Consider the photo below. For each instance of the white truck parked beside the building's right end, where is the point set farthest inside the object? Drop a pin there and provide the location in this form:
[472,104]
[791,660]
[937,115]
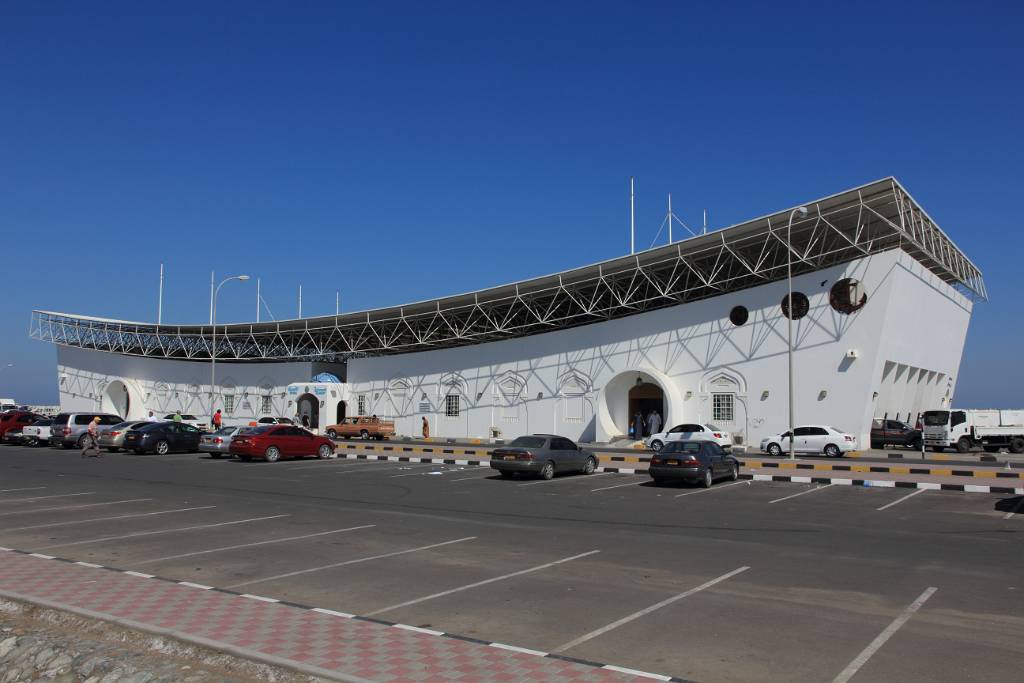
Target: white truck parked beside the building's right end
[964,431]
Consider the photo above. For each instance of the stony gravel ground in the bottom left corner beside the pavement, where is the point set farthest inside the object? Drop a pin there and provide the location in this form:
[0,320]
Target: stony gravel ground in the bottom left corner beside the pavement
[41,645]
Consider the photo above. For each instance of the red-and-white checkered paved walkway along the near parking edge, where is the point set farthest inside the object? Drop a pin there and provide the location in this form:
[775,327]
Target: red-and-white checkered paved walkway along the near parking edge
[318,643]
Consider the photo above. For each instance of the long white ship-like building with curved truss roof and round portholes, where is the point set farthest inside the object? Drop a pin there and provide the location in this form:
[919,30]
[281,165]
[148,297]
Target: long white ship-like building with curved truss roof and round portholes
[695,329]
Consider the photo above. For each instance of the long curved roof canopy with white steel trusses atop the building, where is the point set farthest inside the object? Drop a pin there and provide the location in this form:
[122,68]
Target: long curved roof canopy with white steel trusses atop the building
[858,223]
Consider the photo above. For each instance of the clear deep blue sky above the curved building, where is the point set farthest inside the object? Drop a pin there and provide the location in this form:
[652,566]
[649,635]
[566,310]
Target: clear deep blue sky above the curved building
[403,151]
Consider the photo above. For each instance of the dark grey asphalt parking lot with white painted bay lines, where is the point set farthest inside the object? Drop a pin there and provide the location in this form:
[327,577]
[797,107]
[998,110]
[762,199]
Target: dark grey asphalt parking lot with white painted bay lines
[744,582]
